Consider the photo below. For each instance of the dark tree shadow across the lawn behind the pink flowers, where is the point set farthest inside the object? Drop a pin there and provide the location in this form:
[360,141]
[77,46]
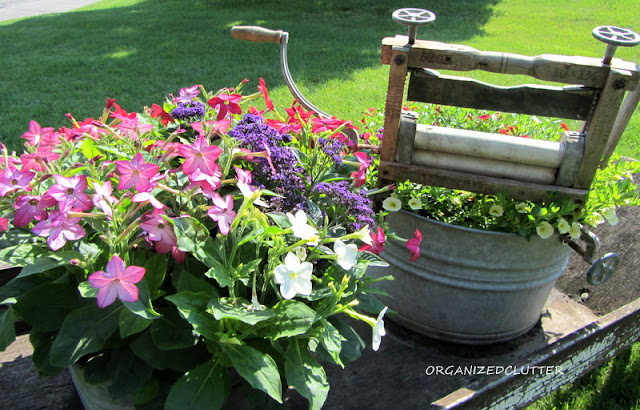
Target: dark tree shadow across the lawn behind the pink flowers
[70,62]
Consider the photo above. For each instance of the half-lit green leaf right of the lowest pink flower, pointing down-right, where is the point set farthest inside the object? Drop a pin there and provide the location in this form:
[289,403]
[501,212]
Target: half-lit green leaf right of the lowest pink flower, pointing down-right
[192,307]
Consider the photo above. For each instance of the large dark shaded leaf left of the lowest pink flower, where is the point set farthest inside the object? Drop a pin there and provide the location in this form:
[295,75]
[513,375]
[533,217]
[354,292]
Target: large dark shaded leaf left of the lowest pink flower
[45,307]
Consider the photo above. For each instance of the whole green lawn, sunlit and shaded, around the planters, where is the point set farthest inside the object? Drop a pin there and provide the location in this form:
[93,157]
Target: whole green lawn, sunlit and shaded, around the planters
[138,51]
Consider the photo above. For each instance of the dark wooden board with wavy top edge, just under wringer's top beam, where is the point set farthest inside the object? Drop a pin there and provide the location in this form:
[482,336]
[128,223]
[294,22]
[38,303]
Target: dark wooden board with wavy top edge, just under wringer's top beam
[568,102]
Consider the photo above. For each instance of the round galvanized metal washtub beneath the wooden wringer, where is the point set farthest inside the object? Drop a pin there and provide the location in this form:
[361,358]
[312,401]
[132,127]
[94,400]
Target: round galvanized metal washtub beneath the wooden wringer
[468,286]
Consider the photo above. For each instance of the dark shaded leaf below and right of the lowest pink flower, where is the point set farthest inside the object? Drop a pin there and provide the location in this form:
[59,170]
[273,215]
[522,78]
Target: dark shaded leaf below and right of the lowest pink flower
[172,332]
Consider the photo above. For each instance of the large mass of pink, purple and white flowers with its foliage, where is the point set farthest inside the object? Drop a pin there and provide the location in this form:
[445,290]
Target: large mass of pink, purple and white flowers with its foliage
[165,251]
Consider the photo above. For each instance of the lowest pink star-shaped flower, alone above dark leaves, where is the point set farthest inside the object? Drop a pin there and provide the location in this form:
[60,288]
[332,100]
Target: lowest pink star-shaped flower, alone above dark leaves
[118,281]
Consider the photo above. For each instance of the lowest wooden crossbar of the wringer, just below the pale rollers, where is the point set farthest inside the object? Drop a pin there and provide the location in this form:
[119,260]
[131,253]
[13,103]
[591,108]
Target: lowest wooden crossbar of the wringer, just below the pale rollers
[475,183]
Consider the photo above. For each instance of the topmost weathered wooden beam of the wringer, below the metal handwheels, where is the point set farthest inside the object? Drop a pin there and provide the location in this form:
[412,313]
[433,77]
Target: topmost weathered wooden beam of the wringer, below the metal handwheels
[587,71]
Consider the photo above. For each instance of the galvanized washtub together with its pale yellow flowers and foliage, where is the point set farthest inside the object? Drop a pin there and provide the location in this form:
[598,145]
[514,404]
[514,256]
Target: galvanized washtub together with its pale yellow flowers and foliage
[488,261]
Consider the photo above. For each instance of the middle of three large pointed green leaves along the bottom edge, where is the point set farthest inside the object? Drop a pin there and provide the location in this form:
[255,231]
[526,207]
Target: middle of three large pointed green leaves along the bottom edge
[259,369]
